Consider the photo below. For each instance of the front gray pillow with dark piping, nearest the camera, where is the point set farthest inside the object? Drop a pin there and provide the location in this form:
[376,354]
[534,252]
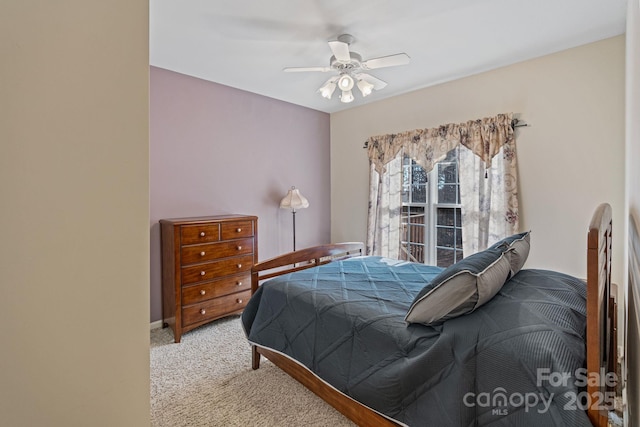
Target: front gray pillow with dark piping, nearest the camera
[461,288]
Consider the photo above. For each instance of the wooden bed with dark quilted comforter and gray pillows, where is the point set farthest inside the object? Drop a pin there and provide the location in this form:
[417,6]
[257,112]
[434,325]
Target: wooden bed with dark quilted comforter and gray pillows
[361,333]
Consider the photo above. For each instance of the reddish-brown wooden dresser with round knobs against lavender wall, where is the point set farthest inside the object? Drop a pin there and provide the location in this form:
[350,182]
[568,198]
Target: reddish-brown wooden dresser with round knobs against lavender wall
[206,268]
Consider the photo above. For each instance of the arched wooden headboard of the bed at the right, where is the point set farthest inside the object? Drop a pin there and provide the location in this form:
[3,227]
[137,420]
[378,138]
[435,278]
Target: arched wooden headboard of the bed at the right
[601,314]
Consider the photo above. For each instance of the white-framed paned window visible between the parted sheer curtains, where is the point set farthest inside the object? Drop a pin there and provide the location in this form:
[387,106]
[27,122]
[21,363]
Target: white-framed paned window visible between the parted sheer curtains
[431,216]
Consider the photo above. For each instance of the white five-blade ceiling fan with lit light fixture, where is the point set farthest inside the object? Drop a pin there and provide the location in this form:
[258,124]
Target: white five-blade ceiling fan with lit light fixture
[351,70]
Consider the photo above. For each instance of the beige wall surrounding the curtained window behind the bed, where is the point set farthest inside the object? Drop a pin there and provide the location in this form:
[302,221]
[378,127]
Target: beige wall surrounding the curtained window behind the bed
[571,158]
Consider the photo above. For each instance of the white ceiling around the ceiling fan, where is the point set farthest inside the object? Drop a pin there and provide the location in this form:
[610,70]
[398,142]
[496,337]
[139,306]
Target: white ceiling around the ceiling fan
[246,43]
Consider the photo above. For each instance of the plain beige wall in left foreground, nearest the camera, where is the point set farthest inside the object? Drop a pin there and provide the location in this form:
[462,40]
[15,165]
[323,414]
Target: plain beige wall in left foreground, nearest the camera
[74,217]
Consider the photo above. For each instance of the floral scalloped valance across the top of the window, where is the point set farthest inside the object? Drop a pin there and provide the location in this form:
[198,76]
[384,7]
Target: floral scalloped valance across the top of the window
[484,137]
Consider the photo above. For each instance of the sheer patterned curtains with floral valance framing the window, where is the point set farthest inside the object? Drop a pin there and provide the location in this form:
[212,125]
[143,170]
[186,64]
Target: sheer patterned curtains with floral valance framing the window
[488,180]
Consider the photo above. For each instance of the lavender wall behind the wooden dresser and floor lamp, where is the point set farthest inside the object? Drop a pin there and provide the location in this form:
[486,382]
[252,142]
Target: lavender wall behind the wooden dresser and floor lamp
[216,150]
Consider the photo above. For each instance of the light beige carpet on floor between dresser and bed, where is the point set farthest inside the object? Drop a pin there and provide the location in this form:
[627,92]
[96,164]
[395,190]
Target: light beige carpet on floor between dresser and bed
[207,380]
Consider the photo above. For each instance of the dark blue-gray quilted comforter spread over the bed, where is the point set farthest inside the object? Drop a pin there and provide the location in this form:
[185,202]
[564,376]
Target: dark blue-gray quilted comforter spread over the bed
[515,361]
